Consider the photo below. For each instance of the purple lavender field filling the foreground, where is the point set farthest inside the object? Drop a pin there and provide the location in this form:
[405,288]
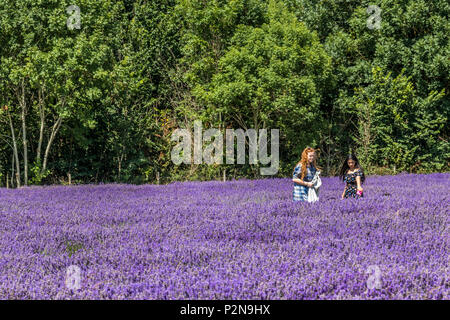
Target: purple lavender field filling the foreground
[241,239]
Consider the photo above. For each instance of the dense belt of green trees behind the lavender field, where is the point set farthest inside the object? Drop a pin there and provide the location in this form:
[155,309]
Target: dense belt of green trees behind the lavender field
[99,103]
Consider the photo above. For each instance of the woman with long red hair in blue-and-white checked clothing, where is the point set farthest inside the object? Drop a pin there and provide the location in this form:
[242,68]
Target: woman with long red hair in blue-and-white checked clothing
[303,175]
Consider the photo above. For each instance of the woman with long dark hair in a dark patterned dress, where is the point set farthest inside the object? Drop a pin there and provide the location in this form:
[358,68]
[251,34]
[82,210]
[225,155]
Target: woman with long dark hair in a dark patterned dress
[353,175]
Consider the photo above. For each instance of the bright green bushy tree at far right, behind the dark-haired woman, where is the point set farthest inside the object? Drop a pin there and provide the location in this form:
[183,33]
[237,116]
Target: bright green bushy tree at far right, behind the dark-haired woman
[397,128]
